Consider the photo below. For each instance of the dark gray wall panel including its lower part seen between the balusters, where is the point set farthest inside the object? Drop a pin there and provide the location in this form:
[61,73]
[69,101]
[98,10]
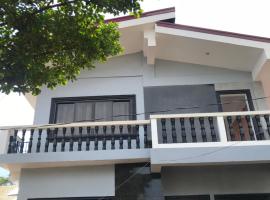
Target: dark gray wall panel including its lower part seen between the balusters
[181,99]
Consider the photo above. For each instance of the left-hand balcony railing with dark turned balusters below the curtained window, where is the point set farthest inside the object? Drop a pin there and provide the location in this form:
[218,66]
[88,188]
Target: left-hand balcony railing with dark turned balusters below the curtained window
[83,136]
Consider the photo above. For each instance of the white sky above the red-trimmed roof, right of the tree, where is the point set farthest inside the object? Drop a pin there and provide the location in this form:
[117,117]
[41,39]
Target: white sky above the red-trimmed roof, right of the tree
[242,16]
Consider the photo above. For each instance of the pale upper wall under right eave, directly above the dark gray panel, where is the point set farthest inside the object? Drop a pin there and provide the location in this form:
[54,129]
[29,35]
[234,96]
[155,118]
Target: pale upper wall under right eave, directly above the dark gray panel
[175,73]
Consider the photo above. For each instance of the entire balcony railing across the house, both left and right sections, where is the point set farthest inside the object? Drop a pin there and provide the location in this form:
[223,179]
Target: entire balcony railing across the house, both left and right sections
[164,131]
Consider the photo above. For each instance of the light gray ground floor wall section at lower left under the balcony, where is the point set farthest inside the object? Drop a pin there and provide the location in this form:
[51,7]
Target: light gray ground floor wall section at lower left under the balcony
[87,181]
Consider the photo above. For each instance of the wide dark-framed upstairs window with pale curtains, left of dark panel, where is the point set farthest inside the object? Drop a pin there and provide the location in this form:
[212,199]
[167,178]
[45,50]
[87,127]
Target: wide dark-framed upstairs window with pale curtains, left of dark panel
[104,108]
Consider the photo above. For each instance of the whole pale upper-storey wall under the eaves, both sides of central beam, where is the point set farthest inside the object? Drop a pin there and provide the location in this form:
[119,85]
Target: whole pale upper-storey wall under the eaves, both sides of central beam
[127,75]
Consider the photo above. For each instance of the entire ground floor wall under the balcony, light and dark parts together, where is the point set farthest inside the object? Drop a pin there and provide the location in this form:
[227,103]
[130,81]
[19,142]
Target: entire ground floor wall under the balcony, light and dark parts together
[136,182]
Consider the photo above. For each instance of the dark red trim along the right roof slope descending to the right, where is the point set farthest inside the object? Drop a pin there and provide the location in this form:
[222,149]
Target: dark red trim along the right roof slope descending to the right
[214,32]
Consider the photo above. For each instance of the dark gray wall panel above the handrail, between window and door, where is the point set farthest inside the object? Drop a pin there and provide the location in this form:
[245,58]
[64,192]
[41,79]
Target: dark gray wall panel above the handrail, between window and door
[163,98]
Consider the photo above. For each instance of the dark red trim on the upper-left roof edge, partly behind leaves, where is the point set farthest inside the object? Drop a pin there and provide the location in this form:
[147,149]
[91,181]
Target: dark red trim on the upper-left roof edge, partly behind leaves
[146,14]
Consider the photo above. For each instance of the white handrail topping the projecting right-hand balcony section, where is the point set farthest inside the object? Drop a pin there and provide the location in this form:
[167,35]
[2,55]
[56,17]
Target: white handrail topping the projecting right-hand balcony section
[214,114]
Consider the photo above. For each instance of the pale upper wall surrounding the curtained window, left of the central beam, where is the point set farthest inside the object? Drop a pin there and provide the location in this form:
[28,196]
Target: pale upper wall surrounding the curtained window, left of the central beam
[119,76]
